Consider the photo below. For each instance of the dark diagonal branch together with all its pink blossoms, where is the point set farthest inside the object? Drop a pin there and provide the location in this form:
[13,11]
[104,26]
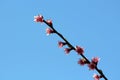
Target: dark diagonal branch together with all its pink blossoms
[80,51]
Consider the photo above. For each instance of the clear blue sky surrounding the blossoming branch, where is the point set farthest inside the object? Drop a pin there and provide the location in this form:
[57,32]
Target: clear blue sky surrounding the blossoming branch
[26,53]
